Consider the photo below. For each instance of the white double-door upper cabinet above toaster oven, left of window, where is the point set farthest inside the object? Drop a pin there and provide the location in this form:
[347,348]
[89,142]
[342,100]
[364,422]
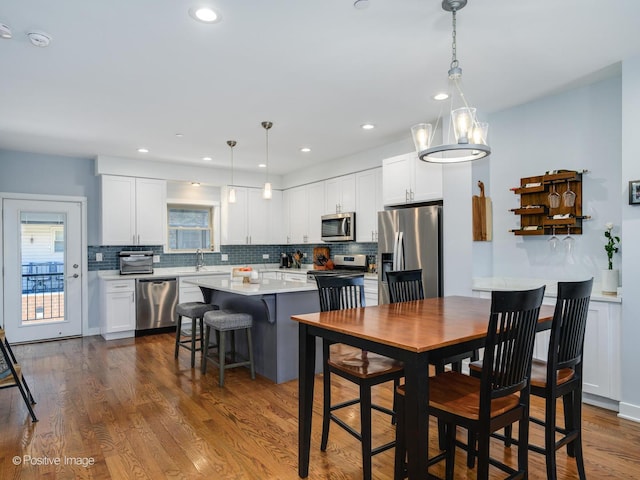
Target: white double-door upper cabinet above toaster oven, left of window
[133,211]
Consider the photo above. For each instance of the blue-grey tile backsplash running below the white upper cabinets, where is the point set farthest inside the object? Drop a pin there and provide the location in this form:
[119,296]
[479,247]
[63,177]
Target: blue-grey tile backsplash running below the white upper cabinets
[238,254]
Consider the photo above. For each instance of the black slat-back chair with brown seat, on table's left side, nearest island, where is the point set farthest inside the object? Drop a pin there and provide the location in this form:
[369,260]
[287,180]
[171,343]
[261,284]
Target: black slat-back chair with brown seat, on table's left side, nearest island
[360,367]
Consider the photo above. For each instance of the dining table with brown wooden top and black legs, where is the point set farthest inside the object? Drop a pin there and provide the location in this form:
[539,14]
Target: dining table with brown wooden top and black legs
[417,333]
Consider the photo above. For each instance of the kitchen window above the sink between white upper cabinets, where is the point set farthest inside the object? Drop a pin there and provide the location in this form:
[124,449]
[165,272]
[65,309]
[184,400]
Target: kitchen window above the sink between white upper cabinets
[190,227]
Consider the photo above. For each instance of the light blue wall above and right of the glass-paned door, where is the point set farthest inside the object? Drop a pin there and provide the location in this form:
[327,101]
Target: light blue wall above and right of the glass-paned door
[36,173]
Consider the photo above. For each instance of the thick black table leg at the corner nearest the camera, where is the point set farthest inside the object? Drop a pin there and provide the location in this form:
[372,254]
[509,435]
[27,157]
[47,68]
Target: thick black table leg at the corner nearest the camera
[416,418]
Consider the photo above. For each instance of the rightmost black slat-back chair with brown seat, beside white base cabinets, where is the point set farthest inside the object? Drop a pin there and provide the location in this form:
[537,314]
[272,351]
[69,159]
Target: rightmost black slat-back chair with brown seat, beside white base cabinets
[561,377]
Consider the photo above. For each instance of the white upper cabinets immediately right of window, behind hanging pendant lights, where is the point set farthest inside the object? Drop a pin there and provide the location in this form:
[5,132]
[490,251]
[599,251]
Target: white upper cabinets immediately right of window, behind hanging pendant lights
[251,220]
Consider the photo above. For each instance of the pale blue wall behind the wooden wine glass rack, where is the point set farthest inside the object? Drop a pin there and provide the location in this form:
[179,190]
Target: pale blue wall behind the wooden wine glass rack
[576,130]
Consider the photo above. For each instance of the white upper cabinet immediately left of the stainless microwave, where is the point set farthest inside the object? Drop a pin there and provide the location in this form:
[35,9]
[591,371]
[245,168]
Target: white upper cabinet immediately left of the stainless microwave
[303,207]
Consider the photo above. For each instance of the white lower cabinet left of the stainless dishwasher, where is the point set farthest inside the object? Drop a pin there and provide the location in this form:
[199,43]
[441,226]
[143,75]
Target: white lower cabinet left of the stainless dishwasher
[118,309]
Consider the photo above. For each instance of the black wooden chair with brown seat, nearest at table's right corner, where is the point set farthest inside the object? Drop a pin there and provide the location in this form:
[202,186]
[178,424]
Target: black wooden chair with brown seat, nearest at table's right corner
[497,399]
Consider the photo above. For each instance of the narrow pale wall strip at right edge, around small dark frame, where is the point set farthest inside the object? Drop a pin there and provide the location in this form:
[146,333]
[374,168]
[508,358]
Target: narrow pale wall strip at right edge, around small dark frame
[630,246]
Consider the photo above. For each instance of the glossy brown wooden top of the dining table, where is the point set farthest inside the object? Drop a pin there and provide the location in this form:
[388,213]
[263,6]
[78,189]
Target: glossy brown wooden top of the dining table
[418,326]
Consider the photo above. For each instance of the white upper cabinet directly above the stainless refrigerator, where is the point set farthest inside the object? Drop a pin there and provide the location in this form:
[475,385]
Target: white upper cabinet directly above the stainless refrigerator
[407,179]
